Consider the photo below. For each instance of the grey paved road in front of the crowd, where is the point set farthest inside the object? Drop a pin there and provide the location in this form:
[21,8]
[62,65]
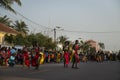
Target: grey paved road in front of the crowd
[87,71]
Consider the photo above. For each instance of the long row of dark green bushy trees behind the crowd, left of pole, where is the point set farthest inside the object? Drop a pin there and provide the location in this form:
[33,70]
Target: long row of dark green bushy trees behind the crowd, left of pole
[31,40]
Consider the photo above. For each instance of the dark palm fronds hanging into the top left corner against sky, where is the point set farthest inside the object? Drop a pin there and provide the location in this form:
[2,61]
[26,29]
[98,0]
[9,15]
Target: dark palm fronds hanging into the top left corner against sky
[7,4]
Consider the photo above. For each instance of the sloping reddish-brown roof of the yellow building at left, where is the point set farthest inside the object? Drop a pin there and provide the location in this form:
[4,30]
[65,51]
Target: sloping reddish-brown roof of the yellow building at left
[6,29]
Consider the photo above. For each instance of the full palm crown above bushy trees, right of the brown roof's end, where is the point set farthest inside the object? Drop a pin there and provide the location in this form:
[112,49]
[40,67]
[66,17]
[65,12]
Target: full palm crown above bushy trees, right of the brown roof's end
[21,27]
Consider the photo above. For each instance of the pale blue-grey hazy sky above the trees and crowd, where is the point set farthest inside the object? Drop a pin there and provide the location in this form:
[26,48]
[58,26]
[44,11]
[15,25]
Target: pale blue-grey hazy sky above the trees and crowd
[86,19]
